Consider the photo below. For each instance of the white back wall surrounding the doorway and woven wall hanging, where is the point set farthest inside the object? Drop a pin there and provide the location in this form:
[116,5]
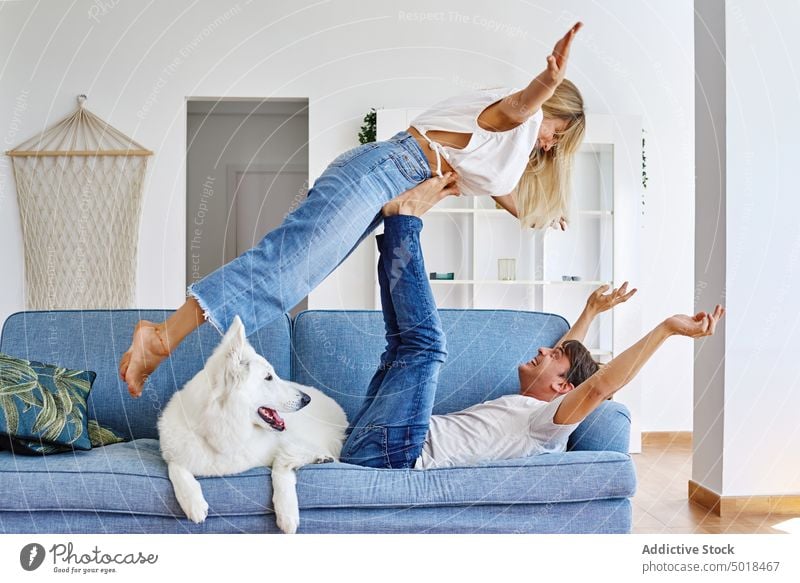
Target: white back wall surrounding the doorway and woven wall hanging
[139,63]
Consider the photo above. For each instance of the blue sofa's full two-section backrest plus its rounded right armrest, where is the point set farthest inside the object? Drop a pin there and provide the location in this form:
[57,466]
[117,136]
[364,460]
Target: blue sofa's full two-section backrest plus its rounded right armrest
[335,351]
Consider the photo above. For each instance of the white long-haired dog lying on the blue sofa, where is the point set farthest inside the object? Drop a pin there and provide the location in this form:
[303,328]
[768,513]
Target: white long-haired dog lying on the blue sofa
[236,414]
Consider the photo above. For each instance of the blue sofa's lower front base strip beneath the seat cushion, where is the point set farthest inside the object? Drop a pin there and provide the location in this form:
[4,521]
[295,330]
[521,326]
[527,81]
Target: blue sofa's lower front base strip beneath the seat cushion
[595,517]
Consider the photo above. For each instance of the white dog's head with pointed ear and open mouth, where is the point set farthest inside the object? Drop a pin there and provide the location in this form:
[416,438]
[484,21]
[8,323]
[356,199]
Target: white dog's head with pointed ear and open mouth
[246,383]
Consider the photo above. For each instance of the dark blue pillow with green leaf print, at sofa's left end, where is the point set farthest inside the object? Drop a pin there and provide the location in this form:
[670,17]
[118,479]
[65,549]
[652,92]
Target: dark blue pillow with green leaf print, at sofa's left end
[44,403]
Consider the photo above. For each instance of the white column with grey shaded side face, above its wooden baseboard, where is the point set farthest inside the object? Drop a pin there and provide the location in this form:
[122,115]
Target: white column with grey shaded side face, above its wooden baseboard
[747,121]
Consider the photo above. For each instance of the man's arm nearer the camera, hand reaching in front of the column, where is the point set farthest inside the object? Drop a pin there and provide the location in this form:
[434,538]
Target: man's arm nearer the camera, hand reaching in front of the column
[584,399]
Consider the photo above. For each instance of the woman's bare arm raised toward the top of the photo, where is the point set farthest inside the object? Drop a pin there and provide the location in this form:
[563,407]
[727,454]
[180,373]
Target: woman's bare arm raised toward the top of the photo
[518,107]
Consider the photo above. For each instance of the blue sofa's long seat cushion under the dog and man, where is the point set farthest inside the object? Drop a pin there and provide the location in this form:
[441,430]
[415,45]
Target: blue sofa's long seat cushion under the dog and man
[132,478]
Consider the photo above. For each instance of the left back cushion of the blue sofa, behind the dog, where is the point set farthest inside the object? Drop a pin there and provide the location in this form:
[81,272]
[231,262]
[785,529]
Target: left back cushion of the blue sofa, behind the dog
[96,339]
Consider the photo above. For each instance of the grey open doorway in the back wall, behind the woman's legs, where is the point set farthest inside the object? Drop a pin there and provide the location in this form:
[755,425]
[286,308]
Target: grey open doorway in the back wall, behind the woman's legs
[246,168]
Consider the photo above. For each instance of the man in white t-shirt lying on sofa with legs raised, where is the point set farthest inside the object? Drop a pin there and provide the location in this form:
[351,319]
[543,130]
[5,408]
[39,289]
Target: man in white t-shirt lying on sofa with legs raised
[559,388]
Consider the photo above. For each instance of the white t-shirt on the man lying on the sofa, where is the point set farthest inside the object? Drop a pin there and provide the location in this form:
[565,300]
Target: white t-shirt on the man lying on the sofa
[512,426]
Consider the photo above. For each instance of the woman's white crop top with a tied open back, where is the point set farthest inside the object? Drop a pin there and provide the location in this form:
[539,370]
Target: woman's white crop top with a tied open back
[491,163]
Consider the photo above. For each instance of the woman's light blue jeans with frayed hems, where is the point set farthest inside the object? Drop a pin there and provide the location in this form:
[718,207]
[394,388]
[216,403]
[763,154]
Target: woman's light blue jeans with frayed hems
[341,209]
